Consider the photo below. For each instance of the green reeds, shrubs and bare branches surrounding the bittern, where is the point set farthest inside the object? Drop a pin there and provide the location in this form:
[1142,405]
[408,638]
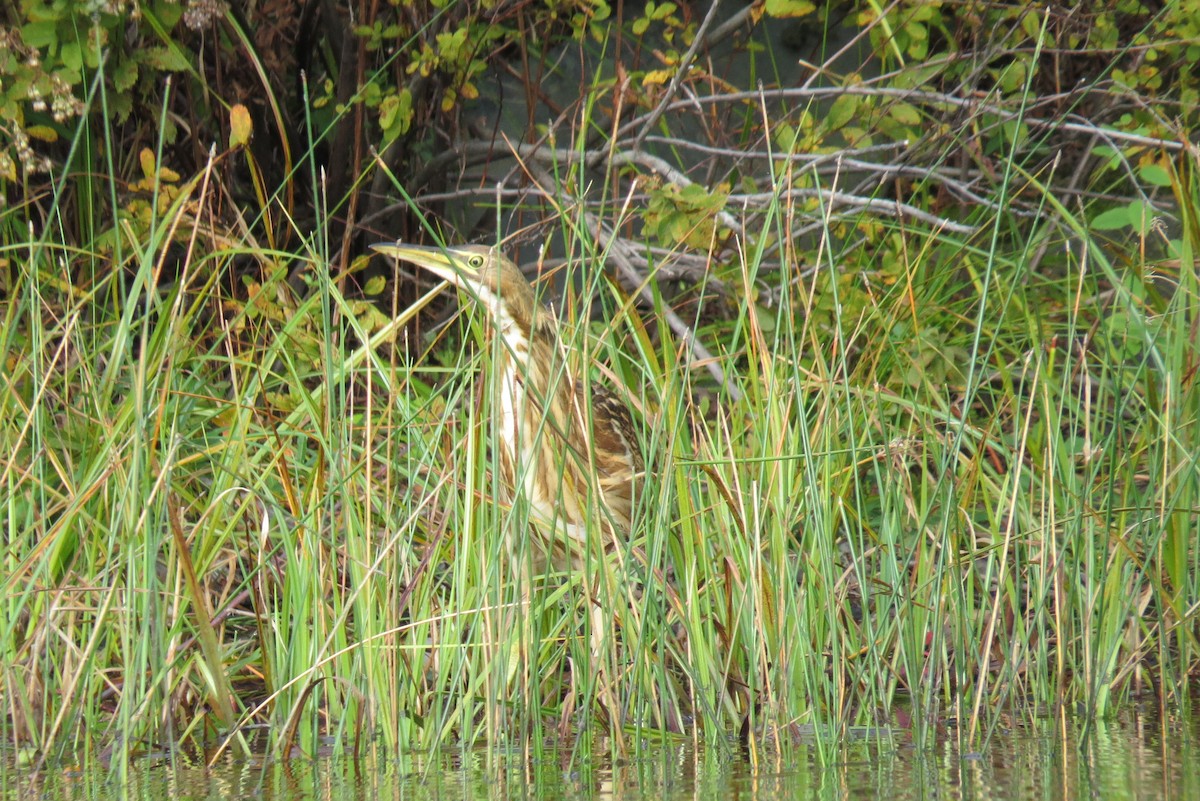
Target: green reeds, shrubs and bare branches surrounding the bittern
[910,335]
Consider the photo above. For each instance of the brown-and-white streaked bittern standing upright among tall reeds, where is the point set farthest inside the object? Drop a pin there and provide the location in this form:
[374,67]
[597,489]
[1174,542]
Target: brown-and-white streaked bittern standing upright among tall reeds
[568,448]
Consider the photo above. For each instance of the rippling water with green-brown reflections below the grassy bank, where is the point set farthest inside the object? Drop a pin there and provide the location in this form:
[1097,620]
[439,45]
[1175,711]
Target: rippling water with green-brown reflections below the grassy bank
[1142,755]
